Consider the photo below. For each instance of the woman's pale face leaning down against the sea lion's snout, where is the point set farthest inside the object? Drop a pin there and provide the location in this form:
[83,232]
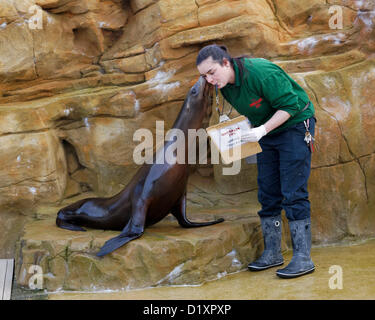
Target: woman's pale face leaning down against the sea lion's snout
[215,73]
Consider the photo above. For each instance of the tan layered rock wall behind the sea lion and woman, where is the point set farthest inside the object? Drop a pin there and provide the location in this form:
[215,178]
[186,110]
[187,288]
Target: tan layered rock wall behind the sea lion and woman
[78,77]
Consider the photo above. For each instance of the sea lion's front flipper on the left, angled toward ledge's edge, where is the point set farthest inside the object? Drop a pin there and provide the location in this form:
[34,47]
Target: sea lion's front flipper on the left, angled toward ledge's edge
[133,229]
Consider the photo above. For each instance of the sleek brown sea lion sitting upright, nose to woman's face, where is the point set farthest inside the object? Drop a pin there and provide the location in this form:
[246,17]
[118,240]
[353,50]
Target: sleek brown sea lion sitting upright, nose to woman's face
[154,191]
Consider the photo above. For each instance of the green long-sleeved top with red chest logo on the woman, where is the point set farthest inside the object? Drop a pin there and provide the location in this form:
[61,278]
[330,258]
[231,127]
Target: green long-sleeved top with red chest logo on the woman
[264,89]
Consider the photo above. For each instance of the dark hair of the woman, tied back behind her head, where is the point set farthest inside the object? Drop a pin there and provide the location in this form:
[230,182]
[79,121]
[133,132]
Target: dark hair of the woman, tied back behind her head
[218,53]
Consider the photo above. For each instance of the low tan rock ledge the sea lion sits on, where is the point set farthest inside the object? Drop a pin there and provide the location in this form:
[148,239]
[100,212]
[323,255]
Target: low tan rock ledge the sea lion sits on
[165,255]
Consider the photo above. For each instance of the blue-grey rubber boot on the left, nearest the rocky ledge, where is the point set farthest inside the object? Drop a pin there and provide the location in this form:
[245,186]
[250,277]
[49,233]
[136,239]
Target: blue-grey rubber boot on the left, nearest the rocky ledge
[271,256]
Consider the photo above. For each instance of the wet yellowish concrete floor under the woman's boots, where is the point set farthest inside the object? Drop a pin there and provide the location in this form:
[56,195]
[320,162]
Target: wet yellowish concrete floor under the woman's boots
[342,272]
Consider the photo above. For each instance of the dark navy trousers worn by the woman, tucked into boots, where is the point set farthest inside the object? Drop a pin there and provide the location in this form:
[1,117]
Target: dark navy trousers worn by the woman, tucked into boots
[283,172]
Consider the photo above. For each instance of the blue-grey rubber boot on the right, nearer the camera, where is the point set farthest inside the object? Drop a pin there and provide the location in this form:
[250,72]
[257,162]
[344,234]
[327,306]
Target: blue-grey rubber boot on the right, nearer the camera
[301,262]
